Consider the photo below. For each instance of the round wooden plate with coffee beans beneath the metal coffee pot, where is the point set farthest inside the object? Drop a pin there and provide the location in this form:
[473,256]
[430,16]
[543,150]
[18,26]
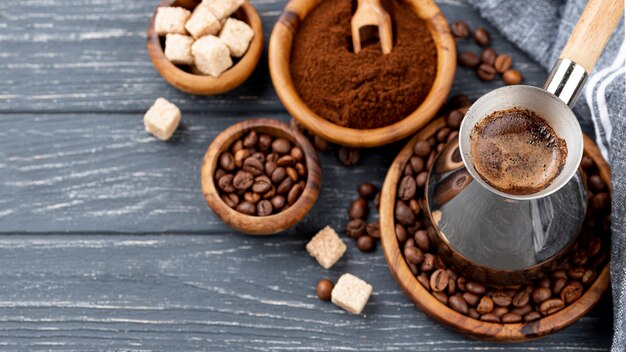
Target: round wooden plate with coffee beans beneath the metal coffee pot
[479,309]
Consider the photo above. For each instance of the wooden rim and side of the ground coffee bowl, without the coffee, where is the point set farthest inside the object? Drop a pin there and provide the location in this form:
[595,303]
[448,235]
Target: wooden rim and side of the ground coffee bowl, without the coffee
[281,42]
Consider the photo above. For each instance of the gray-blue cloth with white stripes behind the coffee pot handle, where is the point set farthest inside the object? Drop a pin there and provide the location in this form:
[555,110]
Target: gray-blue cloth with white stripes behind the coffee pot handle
[541,28]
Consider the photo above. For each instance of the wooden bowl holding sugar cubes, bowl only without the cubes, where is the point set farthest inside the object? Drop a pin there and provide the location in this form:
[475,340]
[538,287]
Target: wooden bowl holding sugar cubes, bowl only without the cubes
[202,84]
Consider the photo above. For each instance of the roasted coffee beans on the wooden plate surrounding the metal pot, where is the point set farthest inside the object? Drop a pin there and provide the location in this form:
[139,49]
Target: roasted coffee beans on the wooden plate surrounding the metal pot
[526,303]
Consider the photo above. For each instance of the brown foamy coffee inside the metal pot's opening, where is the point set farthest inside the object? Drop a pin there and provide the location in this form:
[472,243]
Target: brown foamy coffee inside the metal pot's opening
[516,151]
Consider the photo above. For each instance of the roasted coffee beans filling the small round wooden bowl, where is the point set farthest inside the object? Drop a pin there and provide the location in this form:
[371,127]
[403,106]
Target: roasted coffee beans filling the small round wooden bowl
[261,175]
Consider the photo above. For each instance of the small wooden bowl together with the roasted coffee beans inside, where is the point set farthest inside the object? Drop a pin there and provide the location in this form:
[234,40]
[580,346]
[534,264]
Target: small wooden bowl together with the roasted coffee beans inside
[260,176]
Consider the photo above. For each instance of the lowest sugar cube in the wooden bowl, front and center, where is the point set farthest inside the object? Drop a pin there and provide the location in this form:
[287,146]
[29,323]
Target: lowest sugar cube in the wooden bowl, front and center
[211,56]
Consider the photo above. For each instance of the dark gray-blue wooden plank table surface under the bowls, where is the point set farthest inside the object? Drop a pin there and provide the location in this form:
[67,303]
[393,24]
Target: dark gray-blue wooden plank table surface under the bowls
[106,242]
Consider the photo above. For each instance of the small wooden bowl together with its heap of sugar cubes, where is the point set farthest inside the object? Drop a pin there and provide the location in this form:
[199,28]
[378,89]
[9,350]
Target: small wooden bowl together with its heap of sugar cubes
[185,74]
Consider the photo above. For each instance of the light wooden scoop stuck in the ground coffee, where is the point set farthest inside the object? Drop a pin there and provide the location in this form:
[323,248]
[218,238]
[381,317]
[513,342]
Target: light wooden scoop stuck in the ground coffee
[370,13]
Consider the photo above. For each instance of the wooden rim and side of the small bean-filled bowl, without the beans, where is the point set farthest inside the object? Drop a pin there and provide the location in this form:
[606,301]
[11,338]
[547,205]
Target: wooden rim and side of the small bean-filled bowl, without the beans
[260,225]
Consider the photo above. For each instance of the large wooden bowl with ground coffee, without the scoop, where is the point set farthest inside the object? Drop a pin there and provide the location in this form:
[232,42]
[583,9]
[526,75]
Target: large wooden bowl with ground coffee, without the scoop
[366,99]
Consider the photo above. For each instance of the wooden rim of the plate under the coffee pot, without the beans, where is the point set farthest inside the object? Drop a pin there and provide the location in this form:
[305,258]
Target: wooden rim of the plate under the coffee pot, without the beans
[437,310]
